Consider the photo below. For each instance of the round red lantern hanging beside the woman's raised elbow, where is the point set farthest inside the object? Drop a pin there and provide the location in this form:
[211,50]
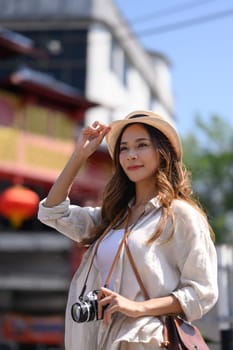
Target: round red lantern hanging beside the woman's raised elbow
[17,204]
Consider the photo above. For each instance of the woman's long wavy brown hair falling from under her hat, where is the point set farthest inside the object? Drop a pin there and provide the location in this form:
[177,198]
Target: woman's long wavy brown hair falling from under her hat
[172,181]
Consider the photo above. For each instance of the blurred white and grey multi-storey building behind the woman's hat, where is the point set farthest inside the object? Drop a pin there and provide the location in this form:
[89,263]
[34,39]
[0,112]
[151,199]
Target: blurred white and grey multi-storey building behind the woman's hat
[91,47]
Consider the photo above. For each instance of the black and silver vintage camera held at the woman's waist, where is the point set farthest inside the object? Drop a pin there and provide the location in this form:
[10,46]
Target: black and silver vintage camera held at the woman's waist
[86,309]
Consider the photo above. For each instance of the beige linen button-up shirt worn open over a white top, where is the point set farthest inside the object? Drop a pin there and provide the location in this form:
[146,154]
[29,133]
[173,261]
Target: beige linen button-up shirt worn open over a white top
[185,266]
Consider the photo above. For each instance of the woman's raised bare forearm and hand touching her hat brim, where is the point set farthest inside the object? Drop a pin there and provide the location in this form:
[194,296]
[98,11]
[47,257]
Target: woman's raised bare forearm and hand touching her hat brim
[89,140]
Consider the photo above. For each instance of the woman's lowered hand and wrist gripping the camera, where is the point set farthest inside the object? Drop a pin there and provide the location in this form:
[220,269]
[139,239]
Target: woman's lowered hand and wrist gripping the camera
[110,302]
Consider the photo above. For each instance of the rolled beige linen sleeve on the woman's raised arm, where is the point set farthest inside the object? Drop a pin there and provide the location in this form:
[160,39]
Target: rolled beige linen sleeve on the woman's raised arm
[73,221]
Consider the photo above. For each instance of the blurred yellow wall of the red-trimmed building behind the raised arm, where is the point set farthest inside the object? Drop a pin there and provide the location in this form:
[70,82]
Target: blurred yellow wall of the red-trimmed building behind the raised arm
[35,139]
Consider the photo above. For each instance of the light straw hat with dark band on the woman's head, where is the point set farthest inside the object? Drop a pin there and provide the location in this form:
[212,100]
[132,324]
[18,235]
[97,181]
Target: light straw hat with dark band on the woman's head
[144,117]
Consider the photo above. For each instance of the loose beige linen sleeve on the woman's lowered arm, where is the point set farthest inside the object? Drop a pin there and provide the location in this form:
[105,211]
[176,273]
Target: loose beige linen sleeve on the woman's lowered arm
[197,262]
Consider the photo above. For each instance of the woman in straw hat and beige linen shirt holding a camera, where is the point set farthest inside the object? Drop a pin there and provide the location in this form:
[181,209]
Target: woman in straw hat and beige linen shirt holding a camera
[169,237]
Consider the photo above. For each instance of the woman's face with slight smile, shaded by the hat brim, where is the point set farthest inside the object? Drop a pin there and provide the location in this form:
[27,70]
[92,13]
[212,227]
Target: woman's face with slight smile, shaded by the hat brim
[138,157]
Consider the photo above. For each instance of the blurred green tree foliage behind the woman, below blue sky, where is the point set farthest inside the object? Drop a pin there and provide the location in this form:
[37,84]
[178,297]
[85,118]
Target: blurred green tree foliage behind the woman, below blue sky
[208,154]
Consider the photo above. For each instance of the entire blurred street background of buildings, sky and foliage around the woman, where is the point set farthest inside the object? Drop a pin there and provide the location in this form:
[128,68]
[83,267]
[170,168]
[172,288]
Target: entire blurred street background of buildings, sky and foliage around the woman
[65,64]
